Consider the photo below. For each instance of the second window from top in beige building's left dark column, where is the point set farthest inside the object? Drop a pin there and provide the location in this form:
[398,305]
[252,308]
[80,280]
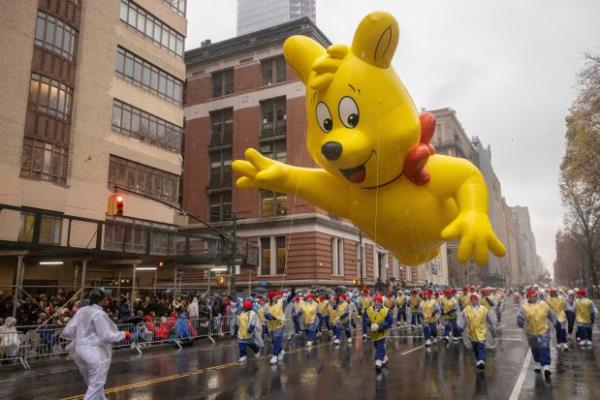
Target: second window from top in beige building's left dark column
[50,97]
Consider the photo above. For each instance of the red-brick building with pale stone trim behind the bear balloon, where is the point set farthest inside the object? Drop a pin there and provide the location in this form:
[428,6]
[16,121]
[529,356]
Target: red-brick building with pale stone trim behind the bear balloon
[241,94]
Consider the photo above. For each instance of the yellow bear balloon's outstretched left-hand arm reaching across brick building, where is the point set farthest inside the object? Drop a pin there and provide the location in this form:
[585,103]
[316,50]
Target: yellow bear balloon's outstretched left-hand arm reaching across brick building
[315,185]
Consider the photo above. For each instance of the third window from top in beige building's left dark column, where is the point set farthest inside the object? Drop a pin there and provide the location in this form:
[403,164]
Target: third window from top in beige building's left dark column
[44,161]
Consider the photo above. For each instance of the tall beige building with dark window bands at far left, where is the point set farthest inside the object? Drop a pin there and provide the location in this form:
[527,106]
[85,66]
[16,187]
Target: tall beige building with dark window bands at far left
[92,105]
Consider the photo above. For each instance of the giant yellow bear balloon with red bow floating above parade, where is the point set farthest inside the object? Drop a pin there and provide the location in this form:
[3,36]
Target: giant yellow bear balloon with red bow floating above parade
[377,168]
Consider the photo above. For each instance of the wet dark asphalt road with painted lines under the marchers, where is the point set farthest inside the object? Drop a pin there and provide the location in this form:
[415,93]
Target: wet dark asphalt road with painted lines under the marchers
[326,371]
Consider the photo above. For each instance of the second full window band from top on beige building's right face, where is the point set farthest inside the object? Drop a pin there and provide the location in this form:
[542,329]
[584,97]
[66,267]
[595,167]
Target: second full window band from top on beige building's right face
[140,72]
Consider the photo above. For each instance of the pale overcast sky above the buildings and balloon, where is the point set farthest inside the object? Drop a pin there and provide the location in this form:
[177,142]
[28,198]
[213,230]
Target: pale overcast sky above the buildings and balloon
[508,68]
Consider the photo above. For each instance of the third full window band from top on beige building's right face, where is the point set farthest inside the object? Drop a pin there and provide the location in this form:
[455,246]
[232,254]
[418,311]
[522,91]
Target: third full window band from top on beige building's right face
[134,122]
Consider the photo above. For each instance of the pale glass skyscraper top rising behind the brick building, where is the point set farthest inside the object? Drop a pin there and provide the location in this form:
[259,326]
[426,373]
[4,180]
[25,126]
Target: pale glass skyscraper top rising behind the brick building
[254,15]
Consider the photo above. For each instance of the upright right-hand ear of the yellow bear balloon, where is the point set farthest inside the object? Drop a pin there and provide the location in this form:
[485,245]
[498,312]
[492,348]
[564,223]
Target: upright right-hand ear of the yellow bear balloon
[376,39]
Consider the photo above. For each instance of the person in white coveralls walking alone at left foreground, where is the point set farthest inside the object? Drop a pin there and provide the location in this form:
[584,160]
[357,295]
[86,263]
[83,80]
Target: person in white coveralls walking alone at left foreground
[92,334]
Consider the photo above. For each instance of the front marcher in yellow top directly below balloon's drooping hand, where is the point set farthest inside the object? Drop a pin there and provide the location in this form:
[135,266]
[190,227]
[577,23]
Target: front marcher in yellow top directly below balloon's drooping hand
[476,322]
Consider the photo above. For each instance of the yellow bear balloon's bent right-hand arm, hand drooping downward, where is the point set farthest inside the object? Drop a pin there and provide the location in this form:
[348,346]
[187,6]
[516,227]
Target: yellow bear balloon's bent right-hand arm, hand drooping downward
[459,179]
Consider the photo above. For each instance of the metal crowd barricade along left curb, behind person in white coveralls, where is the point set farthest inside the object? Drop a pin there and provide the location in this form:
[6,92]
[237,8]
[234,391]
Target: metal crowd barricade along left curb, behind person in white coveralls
[35,343]
